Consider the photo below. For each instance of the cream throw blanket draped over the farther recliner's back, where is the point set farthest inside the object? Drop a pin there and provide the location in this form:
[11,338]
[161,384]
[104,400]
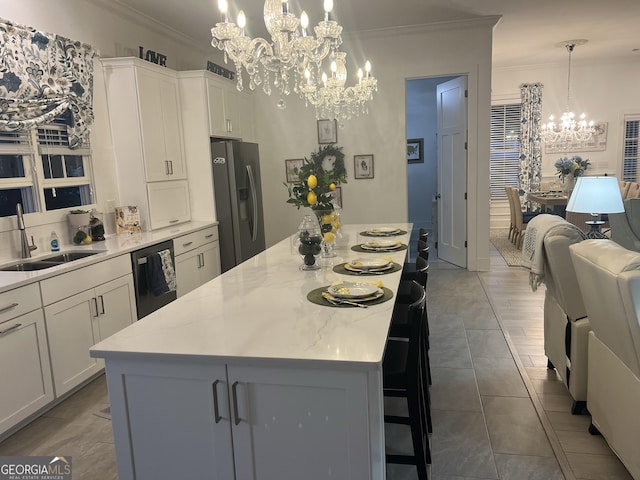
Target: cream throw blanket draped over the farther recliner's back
[533,256]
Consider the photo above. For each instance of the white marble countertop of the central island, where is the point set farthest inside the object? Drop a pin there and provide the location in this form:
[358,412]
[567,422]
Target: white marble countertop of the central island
[259,310]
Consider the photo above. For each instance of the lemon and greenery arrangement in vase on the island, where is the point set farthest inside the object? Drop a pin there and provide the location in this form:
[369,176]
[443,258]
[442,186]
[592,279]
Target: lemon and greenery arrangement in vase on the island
[318,178]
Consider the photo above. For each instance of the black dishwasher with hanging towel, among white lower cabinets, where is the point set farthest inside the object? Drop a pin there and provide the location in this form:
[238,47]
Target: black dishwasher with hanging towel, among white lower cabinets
[146,300]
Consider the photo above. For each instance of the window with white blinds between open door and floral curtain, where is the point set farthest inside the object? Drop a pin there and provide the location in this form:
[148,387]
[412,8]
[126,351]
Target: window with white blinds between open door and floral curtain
[505,148]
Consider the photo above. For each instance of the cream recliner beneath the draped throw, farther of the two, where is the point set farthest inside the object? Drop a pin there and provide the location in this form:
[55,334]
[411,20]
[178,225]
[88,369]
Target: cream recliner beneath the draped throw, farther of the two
[566,325]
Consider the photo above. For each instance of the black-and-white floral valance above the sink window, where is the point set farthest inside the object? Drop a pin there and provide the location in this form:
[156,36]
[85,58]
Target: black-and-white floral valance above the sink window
[42,76]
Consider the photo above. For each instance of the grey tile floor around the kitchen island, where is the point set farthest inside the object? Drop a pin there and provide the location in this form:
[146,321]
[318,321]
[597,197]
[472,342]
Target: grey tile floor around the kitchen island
[498,413]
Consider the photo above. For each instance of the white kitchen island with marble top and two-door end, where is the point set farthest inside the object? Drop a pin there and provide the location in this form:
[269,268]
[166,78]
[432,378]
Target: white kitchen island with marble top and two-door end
[244,378]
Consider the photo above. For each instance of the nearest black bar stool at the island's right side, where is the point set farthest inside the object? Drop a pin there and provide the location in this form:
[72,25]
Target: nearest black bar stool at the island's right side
[402,378]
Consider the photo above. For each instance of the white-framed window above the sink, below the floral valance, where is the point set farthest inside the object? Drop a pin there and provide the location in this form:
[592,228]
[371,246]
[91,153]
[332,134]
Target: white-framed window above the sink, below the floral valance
[40,171]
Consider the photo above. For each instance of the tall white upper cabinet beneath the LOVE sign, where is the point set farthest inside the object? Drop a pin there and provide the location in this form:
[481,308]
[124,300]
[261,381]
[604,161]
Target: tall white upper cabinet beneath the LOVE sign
[148,140]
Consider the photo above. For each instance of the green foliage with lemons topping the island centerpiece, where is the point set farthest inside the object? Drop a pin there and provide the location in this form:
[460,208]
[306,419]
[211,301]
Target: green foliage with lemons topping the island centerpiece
[325,179]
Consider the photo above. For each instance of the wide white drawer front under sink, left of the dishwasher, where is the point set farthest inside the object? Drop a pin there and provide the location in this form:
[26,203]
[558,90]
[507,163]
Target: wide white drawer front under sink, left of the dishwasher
[68,284]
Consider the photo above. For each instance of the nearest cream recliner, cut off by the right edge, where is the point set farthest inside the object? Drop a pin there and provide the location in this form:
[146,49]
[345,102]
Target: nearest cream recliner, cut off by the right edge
[609,279]
